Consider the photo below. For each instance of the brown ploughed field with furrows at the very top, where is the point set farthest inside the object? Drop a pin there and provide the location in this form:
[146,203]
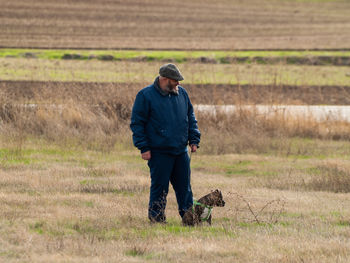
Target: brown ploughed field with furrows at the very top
[158,24]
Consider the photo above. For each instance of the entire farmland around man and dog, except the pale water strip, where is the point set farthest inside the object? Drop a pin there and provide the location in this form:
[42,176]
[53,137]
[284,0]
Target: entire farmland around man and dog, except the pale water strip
[74,189]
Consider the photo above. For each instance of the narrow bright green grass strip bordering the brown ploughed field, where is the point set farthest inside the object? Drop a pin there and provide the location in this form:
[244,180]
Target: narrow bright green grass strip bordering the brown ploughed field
[341,58]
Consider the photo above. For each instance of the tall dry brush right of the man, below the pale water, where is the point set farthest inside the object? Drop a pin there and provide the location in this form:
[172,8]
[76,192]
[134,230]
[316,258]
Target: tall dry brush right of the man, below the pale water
[250,131]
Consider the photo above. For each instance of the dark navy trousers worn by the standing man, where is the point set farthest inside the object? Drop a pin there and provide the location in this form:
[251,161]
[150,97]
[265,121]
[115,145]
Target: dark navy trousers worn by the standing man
[165,168]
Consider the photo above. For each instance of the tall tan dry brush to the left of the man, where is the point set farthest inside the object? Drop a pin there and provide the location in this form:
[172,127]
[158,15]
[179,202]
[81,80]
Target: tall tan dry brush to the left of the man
[95,118]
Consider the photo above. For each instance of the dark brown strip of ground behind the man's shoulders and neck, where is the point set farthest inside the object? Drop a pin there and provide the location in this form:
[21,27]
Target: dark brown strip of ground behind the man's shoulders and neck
[200,93]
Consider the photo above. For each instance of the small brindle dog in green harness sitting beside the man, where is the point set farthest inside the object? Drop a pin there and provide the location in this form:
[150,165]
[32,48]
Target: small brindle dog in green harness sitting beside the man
[201,210]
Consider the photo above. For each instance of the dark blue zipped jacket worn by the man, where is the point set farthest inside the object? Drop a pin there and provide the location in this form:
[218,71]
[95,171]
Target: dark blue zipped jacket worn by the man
[163,122]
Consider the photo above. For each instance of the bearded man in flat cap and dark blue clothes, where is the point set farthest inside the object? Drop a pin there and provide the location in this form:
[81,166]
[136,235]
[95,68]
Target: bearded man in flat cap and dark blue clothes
[163,124]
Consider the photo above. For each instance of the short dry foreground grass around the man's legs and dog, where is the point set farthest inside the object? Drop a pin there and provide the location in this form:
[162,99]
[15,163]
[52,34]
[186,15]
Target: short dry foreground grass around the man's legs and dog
[47,214]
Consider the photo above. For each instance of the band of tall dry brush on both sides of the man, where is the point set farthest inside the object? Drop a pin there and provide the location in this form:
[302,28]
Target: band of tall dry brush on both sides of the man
[98,117]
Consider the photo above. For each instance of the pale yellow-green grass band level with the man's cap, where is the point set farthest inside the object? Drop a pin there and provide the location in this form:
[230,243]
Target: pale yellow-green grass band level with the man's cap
[195,73]
